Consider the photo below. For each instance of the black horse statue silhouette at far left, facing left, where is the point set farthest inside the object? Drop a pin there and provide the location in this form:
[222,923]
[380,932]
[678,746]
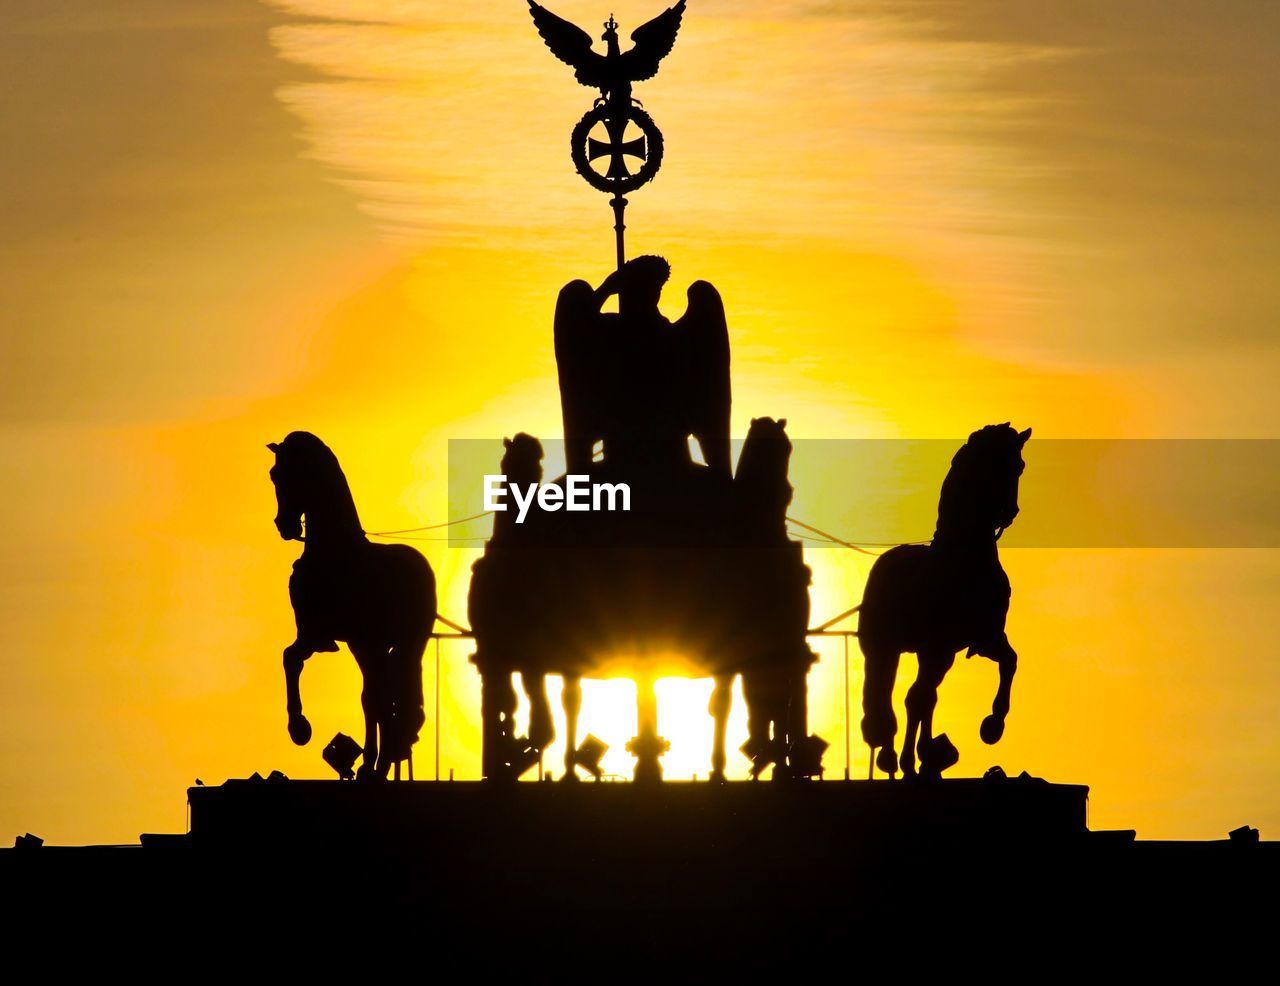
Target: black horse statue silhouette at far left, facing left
[378,599]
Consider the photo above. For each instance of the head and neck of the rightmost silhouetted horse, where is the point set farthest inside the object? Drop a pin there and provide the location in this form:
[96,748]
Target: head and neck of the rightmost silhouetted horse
[980,495]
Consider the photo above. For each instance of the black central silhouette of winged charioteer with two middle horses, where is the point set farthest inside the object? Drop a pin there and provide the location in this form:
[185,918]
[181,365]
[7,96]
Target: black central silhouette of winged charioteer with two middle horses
[701,567]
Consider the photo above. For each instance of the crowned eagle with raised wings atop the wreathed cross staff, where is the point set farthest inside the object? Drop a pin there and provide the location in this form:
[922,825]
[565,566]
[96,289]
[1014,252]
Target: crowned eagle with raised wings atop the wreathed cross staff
[614,72]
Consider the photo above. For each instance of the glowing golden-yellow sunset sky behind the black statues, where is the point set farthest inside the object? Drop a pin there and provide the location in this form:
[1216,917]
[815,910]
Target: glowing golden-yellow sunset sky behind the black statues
[225,222]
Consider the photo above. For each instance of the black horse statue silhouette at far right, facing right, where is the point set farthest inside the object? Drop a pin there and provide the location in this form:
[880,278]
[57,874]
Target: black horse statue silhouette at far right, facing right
[936,600]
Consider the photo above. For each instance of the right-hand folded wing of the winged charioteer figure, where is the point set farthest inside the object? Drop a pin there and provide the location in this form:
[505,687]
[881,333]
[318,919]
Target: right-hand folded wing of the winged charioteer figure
[705,334]
